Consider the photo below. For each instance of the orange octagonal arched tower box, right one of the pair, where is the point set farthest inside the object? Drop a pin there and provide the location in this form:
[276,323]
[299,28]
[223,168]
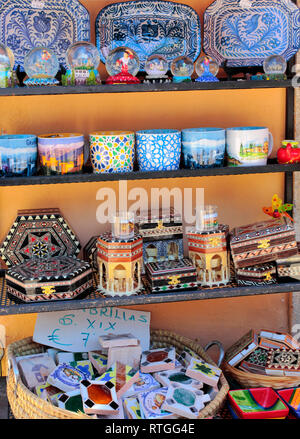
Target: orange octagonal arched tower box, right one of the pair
[209,254]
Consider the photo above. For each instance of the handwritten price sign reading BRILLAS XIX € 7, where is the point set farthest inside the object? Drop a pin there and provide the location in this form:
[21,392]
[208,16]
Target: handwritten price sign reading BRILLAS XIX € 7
[78,331]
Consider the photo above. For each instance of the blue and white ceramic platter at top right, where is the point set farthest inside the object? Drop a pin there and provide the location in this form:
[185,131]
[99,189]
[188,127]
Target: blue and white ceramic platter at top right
[245,32]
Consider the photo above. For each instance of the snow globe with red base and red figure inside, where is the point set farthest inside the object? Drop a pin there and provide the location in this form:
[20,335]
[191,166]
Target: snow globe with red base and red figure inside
[122,65]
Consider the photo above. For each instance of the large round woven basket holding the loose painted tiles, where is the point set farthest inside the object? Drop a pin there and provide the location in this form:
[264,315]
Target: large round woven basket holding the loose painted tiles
[26,405]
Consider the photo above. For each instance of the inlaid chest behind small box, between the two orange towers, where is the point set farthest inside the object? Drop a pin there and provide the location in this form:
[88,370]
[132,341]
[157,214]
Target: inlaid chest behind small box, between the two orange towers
[162,234]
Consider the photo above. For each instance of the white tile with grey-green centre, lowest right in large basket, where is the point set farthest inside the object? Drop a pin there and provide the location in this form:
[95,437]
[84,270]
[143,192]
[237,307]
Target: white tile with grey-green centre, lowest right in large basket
[184,401]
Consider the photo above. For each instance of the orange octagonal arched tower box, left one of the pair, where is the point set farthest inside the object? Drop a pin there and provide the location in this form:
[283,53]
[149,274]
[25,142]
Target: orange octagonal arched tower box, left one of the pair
[120,262]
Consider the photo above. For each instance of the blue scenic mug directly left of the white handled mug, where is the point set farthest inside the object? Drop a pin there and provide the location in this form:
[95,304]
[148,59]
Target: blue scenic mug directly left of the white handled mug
[203,147]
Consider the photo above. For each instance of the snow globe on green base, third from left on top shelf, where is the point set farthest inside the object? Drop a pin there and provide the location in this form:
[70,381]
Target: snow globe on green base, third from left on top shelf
[83,60]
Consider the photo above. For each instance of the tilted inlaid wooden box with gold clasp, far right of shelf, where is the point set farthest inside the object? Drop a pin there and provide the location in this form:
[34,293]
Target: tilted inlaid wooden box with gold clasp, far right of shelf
[262,242]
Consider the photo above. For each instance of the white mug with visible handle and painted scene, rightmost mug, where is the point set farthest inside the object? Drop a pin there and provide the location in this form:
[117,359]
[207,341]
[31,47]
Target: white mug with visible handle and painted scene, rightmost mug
[248,146]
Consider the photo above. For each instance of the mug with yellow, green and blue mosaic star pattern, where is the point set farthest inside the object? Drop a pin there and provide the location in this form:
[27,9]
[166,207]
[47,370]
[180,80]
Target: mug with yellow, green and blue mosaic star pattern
[112,151]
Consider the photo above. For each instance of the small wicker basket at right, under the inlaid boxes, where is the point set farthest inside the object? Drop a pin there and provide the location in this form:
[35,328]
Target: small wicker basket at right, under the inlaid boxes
[249,380]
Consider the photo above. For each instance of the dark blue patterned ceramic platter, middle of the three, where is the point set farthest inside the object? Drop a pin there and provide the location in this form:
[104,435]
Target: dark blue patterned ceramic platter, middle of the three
[149,27]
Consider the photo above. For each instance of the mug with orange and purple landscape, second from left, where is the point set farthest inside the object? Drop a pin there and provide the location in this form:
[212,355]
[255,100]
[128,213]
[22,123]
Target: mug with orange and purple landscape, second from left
[61,153]
